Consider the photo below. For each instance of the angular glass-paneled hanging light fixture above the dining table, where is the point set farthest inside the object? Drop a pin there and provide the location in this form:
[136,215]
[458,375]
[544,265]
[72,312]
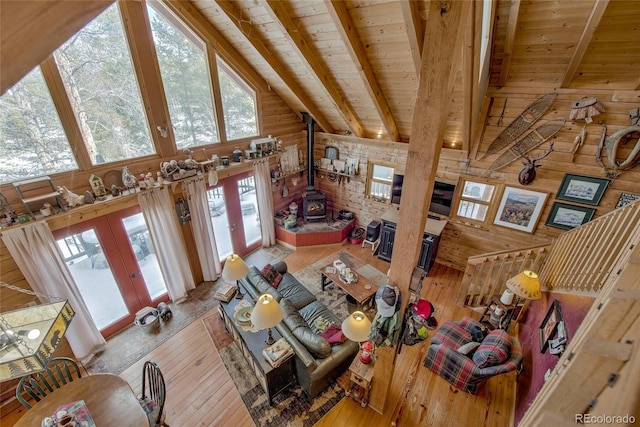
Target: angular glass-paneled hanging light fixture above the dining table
[30,336]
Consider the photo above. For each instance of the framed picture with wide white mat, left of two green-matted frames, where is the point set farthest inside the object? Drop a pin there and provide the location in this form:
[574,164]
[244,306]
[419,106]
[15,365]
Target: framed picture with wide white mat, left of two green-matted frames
[520,209]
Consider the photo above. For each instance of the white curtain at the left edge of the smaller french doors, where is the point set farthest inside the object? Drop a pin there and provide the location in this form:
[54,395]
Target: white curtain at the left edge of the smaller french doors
[196,193]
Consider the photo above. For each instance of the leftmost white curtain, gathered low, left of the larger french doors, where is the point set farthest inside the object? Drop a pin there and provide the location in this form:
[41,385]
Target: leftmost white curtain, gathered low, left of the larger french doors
[37,255]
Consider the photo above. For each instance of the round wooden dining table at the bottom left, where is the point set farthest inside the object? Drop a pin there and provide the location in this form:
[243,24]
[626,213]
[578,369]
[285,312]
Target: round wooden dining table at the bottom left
[108,398]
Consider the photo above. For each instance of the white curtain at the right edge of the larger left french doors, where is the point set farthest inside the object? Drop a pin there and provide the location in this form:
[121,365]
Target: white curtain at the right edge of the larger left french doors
[160,216]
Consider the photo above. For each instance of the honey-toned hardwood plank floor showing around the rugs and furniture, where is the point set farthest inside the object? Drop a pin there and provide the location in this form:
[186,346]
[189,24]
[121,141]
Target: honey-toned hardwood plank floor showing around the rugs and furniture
[201,393]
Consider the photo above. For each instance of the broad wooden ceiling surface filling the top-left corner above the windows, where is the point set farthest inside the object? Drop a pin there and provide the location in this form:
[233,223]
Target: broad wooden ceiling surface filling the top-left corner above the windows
[32,30]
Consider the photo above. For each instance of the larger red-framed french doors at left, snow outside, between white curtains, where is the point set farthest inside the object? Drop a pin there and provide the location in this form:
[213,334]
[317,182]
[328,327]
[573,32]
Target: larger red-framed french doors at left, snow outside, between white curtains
[114,265]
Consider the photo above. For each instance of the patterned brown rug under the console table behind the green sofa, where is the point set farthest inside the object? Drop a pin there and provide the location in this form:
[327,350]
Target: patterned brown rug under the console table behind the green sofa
[292,407]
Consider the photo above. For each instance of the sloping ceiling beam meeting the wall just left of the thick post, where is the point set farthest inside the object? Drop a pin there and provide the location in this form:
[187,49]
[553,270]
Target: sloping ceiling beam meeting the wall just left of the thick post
[347,30]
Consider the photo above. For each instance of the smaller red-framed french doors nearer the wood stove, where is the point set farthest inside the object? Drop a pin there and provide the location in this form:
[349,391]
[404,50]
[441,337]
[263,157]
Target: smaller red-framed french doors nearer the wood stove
[234,212]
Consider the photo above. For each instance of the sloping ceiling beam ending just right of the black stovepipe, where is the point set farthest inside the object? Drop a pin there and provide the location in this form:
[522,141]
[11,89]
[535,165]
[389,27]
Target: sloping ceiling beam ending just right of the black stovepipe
[258,43]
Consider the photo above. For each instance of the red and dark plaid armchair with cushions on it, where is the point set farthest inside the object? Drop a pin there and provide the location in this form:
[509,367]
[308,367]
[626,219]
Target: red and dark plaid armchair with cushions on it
[498,353]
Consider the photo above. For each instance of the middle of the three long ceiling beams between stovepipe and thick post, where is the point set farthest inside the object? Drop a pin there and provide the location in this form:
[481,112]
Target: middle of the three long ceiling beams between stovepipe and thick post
[313,61]
